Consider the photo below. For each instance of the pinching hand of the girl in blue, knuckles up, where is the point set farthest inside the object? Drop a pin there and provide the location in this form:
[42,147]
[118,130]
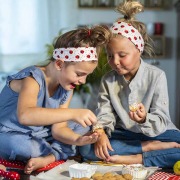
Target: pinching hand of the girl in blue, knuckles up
[85,117]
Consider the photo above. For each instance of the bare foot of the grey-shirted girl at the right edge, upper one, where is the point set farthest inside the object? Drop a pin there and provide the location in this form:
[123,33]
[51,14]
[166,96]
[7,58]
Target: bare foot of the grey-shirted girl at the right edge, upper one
[157,145]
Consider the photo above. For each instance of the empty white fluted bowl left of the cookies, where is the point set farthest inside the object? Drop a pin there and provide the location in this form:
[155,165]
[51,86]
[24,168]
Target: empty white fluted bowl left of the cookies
[81,170]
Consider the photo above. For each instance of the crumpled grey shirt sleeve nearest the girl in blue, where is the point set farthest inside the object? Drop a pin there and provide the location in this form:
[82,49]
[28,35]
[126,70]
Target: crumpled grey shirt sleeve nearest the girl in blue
[105,112]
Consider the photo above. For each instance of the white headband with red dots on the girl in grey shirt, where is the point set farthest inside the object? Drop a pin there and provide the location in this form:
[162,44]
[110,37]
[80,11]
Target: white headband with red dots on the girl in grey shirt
[128,31]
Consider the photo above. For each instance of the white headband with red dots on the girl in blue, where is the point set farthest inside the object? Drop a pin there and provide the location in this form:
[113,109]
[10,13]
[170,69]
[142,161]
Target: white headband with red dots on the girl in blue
[78,54]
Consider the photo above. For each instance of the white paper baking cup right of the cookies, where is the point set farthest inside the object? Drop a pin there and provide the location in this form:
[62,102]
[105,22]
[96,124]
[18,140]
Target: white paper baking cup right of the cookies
[137,171]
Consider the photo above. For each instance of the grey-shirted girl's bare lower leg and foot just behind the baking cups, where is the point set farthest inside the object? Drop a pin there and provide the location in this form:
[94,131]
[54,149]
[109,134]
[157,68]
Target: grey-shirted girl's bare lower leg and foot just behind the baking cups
[128,159]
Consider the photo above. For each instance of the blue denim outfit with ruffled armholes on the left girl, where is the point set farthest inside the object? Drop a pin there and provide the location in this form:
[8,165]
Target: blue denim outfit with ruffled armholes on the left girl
[19,142]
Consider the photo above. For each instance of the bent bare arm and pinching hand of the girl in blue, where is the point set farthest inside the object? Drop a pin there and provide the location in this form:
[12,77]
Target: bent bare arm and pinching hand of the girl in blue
[30,114]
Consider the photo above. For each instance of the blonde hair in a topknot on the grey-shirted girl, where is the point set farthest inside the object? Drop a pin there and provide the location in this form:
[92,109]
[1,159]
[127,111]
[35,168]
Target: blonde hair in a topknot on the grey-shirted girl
[129,8]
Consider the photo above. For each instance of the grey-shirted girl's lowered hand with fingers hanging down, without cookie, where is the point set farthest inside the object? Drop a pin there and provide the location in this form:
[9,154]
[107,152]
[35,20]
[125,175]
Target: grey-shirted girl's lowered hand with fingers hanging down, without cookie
[102,146]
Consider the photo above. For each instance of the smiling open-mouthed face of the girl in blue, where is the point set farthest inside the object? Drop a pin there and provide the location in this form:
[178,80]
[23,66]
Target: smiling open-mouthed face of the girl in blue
[73,74]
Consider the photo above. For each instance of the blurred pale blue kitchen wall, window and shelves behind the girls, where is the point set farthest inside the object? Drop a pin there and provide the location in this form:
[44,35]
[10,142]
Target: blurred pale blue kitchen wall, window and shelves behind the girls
[26,26]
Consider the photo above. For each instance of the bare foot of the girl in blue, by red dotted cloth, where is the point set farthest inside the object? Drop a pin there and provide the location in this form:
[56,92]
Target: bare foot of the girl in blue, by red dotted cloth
[39,162]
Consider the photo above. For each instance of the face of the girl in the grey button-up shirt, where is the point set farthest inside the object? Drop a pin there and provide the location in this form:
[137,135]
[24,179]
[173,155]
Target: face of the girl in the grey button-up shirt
[123,56]
